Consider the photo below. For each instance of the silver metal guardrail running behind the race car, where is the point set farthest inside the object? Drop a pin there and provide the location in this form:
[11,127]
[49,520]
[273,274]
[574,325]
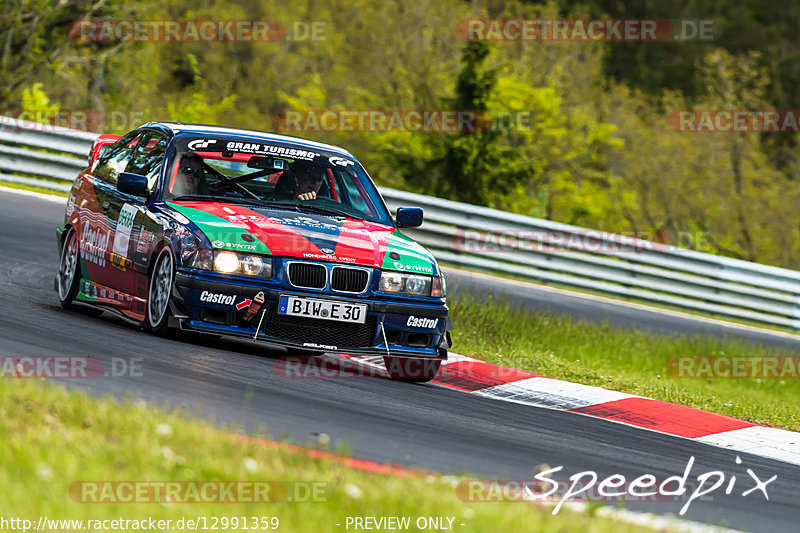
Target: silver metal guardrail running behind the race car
[466,236]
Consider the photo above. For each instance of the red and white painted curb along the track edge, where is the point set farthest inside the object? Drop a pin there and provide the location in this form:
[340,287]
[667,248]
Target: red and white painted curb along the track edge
[511,385]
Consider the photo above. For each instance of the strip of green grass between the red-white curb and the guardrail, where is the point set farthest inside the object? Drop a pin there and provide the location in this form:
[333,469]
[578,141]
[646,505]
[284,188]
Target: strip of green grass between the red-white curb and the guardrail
[625,360]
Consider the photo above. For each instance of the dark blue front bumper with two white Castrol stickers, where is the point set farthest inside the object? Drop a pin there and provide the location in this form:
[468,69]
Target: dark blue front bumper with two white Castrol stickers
[210,304]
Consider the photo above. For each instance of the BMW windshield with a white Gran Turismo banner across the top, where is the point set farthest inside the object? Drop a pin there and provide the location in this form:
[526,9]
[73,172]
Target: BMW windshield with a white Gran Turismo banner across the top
[271,175]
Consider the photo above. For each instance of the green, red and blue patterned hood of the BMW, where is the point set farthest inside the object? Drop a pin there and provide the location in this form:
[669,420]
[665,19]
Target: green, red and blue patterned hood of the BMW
[281,232]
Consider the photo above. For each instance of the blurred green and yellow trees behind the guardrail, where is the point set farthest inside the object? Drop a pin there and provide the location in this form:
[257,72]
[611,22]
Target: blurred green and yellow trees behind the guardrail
[595,148]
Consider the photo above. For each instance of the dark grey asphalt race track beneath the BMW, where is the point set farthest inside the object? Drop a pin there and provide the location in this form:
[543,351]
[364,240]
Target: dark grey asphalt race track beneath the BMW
[416,425]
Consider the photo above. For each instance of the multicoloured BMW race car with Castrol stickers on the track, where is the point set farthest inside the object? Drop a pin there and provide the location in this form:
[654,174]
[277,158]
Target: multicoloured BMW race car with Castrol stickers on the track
[222,231]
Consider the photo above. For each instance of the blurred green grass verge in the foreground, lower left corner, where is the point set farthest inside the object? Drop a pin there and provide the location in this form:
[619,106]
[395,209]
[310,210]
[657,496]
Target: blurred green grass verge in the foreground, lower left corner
[53,438]
